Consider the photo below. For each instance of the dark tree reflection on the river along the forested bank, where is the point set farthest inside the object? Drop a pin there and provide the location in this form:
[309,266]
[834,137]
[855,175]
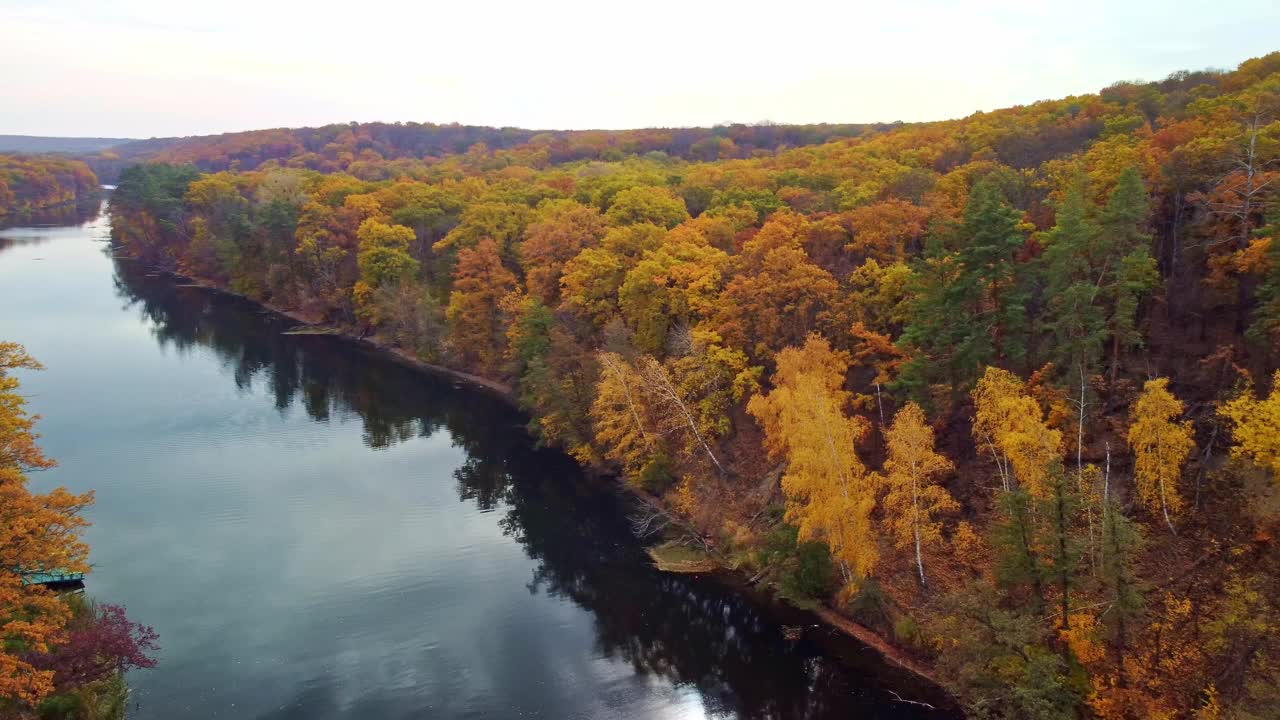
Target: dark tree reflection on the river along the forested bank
[692,632]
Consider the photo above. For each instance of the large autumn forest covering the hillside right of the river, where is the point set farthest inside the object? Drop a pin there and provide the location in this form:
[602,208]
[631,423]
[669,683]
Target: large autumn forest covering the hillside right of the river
[1003,390]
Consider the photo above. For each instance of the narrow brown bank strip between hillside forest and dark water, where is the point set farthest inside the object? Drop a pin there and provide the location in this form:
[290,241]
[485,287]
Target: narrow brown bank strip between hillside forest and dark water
[828,617]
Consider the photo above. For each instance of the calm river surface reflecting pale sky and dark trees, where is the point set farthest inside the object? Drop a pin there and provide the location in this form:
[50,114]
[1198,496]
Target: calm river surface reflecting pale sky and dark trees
[318,532]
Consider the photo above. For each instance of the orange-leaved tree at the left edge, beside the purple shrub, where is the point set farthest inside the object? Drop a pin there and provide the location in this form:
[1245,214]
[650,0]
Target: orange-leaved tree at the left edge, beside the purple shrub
[36,531]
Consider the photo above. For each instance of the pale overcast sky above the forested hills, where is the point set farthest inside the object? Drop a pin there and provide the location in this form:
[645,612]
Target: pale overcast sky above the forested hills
[156,69]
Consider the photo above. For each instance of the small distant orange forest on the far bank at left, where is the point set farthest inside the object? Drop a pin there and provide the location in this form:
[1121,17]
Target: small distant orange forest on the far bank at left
[35,183]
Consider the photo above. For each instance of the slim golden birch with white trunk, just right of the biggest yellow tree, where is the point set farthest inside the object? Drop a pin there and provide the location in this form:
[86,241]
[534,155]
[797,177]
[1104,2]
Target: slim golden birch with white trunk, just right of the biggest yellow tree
[915,499]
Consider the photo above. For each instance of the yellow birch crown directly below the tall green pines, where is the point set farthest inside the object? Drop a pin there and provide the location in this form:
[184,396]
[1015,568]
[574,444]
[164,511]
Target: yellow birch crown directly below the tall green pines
[1011,426]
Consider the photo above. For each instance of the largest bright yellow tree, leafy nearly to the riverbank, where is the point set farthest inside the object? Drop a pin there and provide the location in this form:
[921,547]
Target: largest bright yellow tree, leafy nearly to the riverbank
[830,495]
